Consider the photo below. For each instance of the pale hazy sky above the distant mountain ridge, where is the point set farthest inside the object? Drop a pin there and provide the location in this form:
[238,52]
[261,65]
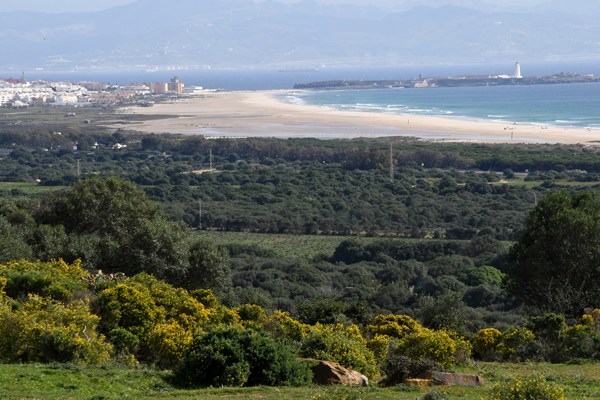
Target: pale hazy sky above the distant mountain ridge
[79,5]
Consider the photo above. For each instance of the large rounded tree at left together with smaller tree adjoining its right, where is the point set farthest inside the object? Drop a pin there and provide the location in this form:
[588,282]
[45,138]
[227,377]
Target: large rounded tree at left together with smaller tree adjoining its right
[129,234]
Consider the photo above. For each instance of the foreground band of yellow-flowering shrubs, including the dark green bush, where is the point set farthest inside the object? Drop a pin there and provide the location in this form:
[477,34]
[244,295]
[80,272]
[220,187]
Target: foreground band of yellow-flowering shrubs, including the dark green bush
[93,319]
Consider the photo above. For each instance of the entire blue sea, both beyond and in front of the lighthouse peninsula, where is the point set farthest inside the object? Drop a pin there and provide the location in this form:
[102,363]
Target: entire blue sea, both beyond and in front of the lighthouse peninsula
[565,105]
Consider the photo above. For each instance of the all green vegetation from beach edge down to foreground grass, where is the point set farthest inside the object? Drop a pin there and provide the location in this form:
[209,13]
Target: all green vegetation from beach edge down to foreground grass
[307,249]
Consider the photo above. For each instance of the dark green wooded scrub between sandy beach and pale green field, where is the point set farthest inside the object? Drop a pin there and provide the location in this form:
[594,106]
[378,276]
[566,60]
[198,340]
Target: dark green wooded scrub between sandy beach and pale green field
[310,186]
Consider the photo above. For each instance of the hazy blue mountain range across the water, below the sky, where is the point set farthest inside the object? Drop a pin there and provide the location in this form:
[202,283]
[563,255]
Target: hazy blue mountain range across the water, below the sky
[156,34]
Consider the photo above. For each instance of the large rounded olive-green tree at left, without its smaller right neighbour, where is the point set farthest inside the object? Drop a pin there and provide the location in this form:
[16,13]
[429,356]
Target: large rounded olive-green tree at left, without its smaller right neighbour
[134,236]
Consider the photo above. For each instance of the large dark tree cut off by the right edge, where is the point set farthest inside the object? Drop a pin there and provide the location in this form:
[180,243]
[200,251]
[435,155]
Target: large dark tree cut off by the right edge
[555,265]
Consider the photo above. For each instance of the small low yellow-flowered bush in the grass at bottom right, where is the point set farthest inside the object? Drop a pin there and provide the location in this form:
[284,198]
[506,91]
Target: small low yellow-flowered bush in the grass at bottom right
[532,388]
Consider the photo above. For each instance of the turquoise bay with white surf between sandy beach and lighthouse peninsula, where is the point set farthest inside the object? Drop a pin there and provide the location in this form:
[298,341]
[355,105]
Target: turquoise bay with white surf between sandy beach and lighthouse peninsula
[576,105]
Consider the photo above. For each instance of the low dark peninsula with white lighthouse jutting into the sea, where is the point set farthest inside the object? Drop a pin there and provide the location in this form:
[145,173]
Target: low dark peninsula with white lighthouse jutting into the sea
[455,81]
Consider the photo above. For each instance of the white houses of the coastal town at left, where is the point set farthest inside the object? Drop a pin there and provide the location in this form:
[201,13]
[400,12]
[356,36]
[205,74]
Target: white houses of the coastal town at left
[20,93]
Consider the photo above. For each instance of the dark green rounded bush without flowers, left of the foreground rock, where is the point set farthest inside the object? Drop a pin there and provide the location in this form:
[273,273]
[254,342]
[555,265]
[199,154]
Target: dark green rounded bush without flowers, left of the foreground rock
[239,357]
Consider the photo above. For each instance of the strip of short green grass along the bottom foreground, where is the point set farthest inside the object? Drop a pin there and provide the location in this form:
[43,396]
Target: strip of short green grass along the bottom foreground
[58,381]
